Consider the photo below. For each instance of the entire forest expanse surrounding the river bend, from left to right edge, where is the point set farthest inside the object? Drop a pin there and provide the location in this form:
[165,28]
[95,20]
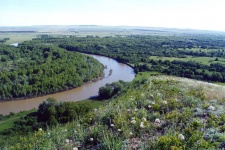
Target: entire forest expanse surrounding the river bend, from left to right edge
[48,64]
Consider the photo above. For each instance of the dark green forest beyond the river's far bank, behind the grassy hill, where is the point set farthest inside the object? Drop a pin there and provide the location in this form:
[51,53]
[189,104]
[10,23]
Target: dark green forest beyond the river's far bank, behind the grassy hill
[137,50]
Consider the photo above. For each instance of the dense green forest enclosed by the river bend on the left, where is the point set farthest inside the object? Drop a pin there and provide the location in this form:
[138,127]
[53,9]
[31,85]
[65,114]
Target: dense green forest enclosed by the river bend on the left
[33,70]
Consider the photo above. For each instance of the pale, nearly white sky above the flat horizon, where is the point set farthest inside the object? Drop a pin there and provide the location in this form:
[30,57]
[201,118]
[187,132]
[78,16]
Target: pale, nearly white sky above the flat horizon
[191,14]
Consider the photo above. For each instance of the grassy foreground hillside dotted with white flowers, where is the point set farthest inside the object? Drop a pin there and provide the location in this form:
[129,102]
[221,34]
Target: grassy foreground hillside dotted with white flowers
[153,112]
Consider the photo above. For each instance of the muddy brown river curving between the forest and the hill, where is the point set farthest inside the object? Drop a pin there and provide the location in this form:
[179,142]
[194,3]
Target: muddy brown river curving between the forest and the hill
[120,71]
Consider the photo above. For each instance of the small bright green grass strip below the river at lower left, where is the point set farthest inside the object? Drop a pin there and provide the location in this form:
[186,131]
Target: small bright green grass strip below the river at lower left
[8,122]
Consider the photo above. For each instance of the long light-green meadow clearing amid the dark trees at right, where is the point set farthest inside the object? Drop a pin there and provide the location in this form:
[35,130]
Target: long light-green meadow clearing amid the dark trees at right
[203,60]
